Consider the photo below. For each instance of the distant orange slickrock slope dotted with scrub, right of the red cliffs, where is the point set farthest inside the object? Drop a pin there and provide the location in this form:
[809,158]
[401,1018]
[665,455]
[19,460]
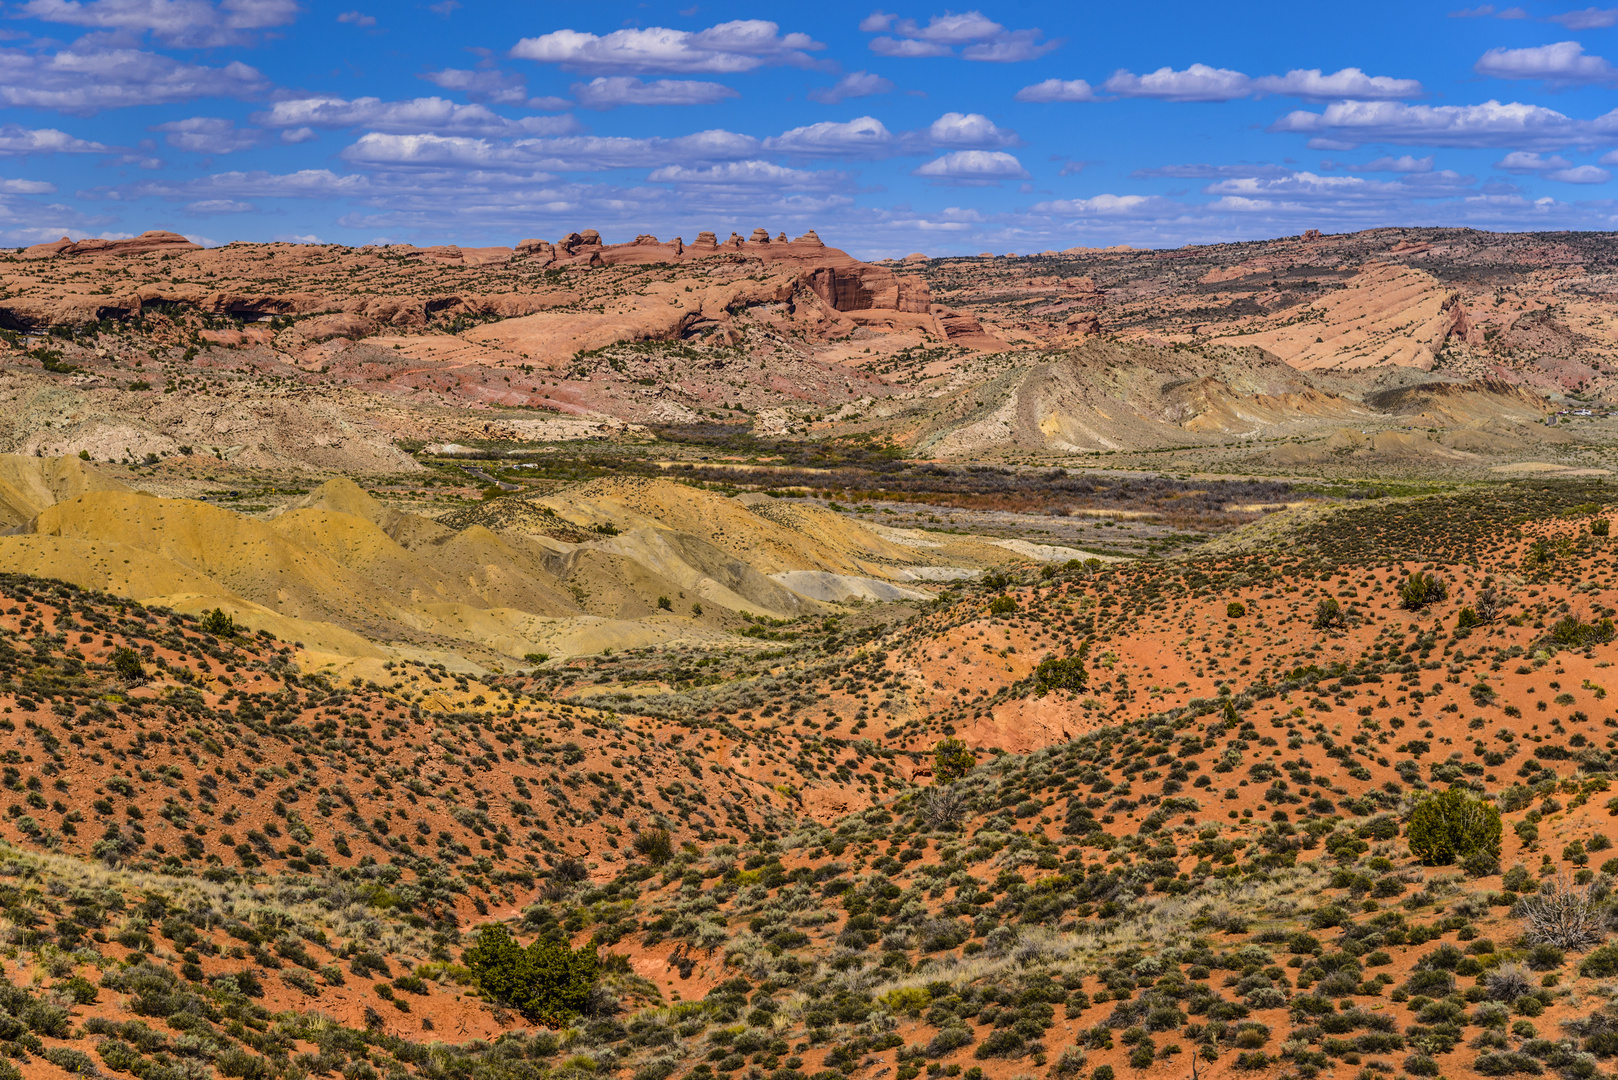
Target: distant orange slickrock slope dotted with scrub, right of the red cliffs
[1535,308]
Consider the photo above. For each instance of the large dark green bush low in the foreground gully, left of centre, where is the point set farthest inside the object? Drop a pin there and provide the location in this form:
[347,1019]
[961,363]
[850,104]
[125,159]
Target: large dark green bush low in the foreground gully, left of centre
[549,984]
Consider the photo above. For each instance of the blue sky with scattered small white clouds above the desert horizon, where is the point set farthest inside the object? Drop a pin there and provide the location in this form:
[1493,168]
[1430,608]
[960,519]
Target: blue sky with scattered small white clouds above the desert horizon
[1006,127]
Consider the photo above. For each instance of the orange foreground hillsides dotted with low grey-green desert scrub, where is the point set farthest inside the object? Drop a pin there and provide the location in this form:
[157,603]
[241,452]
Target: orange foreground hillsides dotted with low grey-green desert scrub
[1227,875]
